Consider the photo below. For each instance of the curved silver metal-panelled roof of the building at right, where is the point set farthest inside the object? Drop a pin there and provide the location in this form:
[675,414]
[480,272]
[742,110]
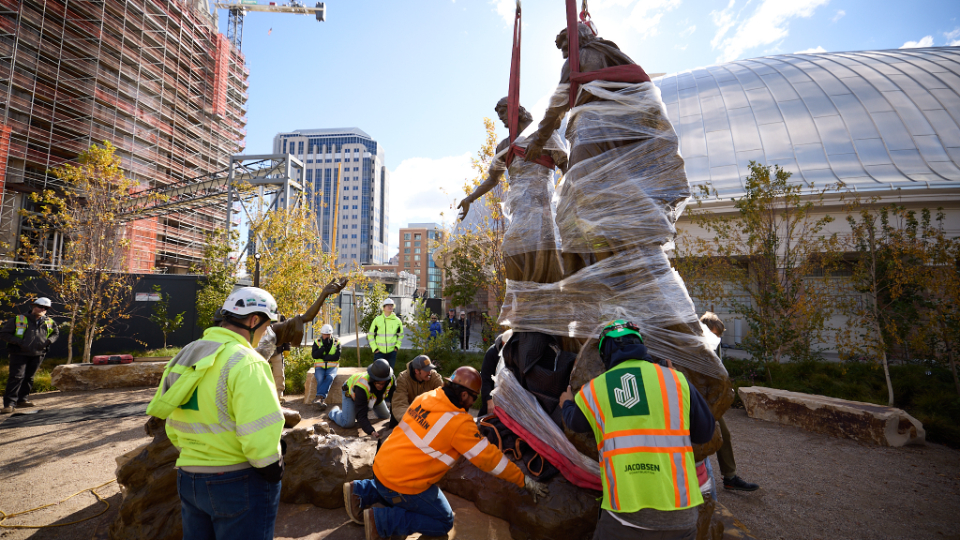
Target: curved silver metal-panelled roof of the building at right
[876,120]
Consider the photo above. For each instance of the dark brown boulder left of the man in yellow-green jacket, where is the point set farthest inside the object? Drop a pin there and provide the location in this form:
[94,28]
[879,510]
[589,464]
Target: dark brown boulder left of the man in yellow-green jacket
[148,482]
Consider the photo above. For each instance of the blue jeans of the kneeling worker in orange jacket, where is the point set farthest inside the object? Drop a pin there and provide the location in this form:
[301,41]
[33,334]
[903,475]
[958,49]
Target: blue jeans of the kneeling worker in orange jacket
[427,513]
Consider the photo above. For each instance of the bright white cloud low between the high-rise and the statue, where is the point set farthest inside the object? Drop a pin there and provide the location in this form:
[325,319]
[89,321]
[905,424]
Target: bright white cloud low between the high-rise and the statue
[422,188]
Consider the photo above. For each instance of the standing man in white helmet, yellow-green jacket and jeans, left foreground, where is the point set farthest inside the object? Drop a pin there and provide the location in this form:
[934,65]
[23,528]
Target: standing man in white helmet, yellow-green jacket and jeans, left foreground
[222,412]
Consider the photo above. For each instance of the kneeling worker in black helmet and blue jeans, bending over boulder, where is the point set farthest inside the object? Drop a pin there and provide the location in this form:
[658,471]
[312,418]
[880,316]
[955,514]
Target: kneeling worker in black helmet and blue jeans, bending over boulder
[364,391]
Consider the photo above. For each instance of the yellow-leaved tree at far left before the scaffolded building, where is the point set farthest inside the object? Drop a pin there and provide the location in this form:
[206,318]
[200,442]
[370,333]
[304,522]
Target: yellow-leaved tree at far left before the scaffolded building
[95,287]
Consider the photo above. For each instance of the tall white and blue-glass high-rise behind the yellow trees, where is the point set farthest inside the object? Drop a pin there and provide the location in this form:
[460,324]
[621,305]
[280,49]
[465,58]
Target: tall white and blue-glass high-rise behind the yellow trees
[349,185]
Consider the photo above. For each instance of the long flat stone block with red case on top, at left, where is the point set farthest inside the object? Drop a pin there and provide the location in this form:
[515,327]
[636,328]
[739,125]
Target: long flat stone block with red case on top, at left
[67,377]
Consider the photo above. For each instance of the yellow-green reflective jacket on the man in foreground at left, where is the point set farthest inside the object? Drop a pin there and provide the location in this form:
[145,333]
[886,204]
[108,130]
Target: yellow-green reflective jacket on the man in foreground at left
[220,403]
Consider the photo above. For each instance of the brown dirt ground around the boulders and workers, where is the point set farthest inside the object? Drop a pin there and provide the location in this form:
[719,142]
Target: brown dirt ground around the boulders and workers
[812,486]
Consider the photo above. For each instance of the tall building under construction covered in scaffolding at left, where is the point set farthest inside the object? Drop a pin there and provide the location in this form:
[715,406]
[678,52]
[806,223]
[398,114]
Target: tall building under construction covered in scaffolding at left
[153,77]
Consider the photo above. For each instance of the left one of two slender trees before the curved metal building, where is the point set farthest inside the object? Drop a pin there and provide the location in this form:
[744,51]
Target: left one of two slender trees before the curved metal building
[769,262]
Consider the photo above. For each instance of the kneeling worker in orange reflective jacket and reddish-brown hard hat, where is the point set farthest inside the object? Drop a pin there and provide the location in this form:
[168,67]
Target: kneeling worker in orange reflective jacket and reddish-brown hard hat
[434,432]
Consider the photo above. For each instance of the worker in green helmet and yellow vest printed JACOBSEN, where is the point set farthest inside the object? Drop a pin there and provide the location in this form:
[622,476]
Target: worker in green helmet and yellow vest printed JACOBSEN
[646,418]
